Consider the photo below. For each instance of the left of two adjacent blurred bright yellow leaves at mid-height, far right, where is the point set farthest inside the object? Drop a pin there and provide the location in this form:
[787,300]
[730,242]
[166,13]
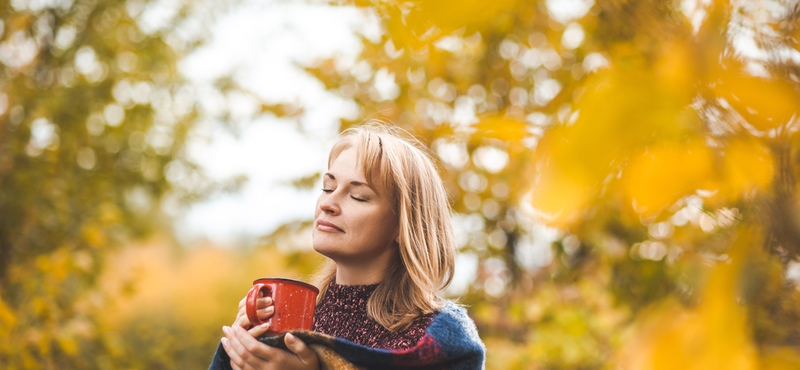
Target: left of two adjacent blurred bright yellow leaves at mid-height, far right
[660,175]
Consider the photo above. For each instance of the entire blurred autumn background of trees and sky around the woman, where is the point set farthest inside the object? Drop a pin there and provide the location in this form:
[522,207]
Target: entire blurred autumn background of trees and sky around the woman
[623,173]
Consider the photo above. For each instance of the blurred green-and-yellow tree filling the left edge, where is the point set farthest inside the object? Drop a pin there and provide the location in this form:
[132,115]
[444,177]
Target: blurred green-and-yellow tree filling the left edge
[93,122]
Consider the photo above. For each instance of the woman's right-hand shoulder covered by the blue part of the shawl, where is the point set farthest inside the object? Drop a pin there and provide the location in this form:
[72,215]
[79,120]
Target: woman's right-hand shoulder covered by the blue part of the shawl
[456,333]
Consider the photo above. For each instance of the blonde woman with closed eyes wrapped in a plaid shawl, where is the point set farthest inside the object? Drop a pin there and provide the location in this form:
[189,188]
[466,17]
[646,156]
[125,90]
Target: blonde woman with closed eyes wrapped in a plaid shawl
[383,220]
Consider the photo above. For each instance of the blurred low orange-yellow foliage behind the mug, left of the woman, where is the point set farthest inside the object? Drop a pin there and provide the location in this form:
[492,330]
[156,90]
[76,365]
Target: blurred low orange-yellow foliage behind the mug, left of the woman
[172,316]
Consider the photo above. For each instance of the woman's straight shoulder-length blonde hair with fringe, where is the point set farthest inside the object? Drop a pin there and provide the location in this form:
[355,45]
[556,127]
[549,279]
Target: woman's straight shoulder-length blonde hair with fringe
[426,244]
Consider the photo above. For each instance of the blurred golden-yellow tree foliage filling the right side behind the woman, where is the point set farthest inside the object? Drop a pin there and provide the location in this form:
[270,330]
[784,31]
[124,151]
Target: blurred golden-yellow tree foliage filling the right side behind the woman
[659,140]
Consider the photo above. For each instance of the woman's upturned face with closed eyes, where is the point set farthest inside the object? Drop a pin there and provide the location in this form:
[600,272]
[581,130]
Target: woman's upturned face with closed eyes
[354,223]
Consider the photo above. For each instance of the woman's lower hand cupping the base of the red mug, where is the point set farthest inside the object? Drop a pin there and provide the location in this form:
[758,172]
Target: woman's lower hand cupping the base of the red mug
[247,353]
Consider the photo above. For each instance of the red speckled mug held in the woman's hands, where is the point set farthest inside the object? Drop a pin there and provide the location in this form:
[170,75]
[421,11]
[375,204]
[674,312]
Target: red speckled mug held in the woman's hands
[293,301]
